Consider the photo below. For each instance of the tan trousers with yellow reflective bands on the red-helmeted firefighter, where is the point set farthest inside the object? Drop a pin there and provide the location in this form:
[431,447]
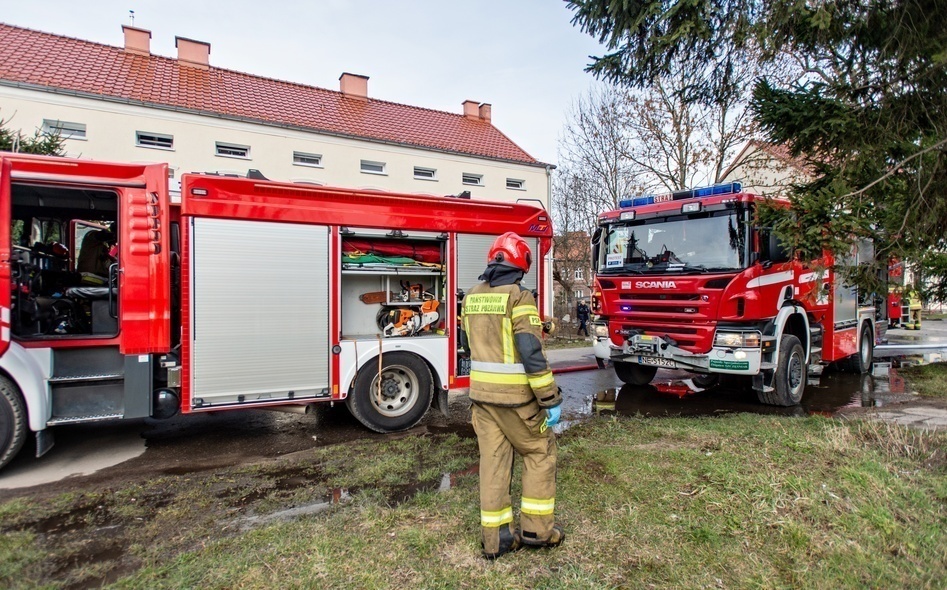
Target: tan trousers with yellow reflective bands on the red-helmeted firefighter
[500,431]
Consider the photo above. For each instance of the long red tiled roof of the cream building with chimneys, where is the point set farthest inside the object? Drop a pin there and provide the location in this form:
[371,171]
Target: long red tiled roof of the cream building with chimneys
[64,64]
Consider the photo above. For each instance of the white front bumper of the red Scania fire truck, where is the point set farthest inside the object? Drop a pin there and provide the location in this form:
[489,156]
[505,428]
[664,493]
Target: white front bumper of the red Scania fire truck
[655,351]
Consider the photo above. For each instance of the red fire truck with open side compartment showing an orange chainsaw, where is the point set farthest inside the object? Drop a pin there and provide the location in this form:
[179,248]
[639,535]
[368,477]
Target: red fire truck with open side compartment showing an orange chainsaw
[247,293]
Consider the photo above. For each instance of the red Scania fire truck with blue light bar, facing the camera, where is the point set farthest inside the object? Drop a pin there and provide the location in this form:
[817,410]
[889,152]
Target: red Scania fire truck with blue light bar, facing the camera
[686,281]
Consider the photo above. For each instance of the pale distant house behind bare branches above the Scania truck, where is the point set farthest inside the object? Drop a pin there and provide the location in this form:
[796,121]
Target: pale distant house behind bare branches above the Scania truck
[765,168]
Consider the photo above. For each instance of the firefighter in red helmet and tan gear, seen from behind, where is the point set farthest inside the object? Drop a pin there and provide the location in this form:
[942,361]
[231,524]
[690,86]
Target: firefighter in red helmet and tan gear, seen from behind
[515,402]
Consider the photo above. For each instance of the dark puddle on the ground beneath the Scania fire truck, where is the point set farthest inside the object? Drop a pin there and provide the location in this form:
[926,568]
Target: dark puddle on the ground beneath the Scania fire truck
[825,395]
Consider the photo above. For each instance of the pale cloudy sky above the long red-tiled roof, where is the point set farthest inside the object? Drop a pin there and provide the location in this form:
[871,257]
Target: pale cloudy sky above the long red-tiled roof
[522,56]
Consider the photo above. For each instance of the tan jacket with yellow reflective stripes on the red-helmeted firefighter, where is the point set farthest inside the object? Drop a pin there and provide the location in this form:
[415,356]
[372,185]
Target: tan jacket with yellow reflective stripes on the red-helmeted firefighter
[508,365]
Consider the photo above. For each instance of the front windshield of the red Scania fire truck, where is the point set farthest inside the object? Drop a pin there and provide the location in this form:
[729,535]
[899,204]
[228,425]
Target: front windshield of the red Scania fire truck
[696,243]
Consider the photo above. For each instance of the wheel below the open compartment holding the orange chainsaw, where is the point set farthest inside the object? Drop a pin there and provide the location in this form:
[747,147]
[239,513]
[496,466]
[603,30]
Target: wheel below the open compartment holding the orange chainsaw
[406,392]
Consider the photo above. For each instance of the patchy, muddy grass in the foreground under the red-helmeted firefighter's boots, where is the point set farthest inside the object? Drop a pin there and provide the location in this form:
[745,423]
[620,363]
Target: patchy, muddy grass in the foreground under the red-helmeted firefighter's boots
[737,501]
